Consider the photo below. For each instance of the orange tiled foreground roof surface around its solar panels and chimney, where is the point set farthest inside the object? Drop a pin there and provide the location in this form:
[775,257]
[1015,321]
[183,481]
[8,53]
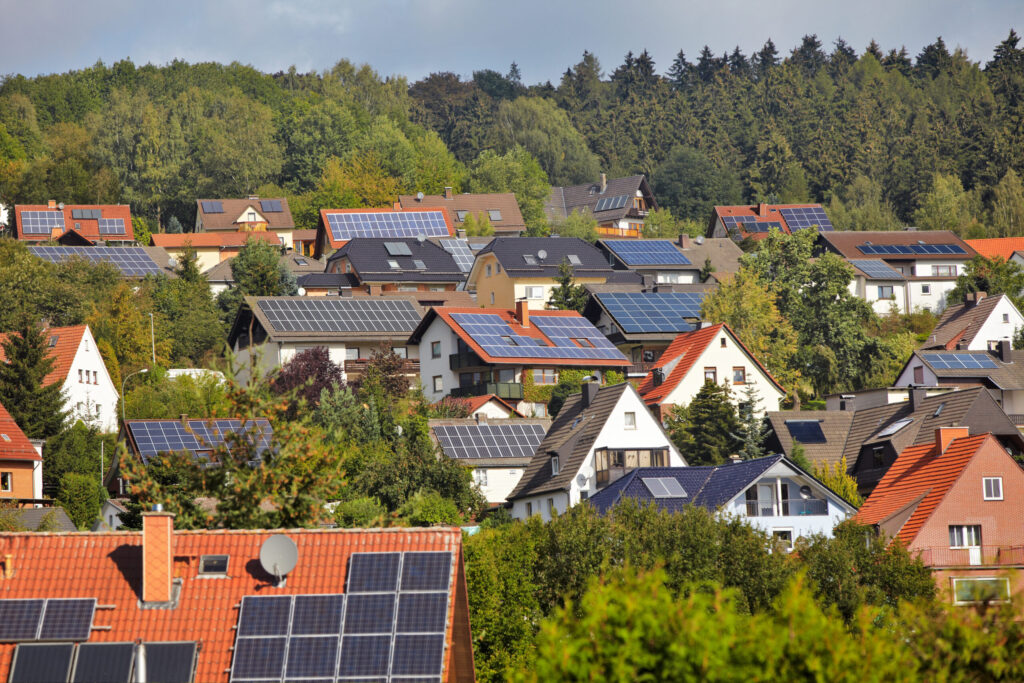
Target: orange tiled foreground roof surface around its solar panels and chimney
[108,567]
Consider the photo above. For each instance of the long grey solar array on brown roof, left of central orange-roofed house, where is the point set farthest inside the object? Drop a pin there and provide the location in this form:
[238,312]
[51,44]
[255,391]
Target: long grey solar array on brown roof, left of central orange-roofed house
[334,315]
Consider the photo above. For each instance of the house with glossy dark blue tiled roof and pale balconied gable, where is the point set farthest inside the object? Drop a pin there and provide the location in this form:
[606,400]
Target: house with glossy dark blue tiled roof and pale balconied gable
[773,494]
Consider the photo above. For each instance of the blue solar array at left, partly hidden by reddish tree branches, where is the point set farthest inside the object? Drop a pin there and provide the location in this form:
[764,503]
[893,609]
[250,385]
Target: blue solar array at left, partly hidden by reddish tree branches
[153,438]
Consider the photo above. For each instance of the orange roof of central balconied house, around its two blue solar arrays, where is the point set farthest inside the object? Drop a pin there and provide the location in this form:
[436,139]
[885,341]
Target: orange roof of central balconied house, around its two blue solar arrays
[573,357]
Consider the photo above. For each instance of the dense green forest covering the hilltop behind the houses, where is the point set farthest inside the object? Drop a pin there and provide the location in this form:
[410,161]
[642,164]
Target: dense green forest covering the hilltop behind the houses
[883,139]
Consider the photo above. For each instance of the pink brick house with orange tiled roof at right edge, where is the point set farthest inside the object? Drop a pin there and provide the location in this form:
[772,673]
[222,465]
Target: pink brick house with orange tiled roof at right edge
[956,503]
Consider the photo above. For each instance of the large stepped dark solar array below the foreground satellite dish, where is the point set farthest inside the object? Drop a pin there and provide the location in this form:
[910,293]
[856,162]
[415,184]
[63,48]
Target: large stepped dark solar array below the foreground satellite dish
[389,626]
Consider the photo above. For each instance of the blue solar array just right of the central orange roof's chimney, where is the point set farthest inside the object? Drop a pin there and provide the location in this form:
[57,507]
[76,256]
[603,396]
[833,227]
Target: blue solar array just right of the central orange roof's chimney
[638,313]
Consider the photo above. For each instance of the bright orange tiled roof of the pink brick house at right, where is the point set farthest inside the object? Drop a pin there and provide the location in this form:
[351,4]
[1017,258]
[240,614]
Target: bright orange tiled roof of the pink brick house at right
[921,478]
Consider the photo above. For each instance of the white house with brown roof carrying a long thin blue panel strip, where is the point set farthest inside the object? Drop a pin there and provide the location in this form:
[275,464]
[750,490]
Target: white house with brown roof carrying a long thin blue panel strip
[928,261]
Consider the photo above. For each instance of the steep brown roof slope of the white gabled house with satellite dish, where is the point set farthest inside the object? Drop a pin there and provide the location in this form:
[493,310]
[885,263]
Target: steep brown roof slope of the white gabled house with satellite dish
[571,438]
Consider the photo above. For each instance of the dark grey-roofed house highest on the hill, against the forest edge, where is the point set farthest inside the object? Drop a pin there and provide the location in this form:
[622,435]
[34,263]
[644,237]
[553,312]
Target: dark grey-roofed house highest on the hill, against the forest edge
[620,205]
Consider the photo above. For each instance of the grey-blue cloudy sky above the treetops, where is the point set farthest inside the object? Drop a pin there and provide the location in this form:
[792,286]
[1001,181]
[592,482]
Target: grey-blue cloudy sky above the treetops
[417,37]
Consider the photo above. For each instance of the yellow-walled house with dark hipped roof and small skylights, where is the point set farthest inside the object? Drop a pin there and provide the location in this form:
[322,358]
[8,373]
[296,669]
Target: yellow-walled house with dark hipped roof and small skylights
[511,270]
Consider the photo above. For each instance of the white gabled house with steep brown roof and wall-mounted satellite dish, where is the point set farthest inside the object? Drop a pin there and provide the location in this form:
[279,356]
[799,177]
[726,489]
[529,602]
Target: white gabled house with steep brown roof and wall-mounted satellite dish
[600,436]
